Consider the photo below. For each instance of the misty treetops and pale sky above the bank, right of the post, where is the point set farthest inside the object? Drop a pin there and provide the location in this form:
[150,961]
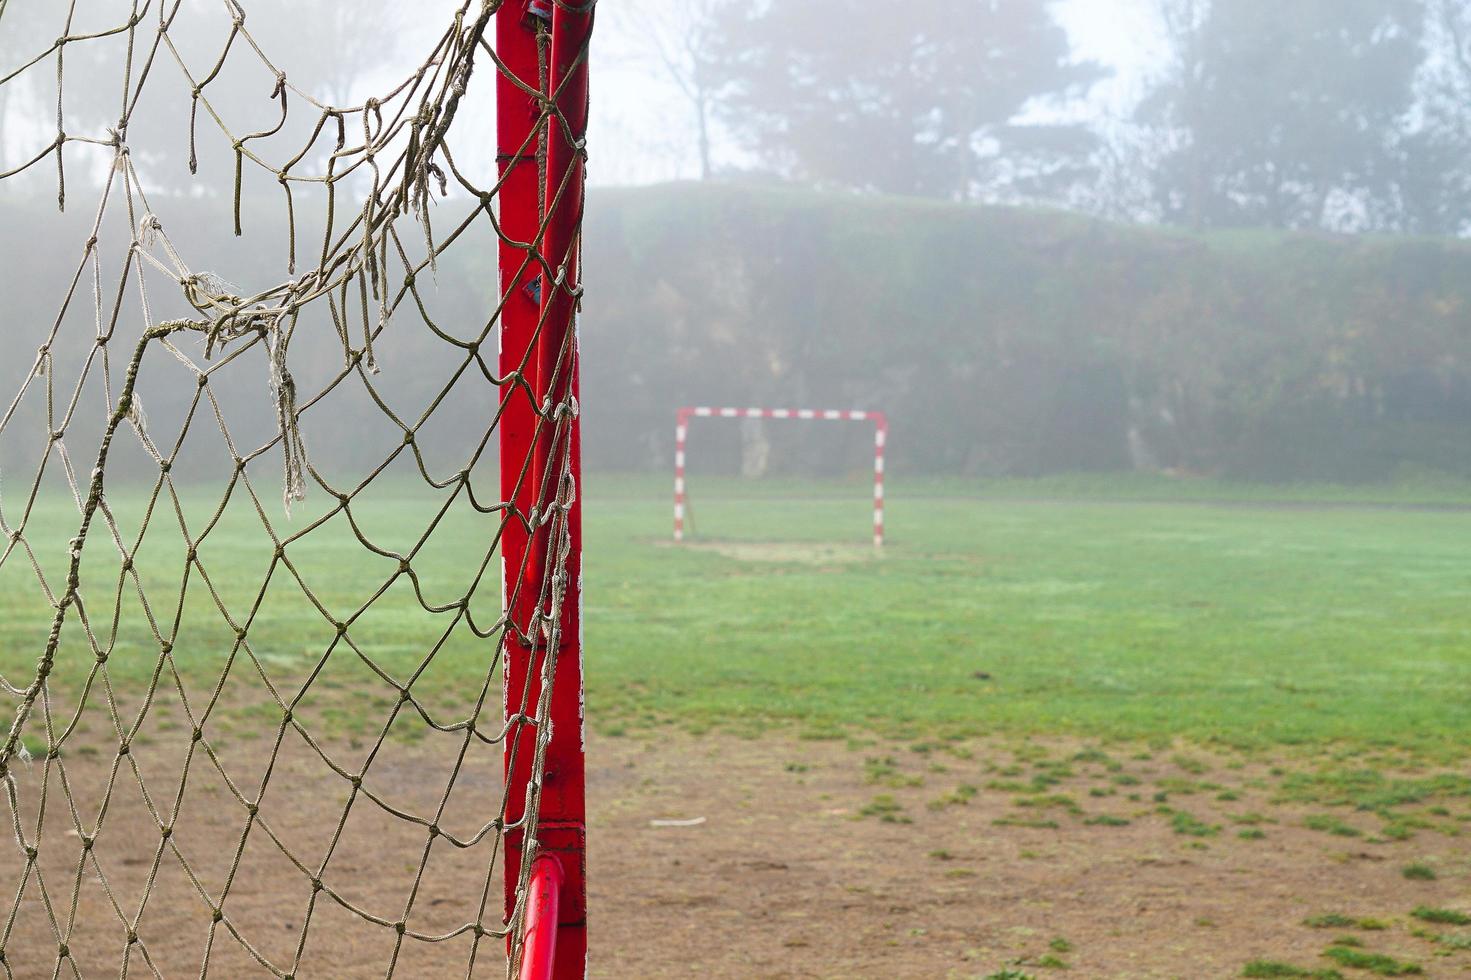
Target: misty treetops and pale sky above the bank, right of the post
[1319,114]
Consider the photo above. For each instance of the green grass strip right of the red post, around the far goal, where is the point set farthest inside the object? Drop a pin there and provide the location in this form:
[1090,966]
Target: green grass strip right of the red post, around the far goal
[1244,623]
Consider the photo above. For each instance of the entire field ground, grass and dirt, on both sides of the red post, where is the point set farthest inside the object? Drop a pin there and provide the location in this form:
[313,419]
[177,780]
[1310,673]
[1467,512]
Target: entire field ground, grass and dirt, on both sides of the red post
[1138,728]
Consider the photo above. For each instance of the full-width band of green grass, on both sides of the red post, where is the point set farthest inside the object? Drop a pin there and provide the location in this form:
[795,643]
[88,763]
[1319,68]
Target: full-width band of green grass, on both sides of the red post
[1245,625]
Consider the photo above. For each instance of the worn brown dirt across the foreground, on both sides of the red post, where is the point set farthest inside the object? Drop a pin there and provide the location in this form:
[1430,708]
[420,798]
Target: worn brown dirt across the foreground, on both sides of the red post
[819,860]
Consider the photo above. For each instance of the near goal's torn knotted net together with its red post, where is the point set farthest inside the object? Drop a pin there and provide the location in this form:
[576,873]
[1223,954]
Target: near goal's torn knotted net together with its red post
[289,488]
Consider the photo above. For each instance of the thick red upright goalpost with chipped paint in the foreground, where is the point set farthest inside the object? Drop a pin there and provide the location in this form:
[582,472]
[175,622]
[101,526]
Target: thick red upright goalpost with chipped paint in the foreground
[541,217]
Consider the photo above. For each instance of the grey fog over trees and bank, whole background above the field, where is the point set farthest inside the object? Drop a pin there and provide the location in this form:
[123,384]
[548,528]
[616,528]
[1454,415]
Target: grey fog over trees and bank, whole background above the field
[1161,236]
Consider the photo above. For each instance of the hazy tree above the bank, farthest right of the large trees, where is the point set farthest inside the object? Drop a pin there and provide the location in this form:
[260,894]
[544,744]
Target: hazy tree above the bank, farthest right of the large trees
[1285,116]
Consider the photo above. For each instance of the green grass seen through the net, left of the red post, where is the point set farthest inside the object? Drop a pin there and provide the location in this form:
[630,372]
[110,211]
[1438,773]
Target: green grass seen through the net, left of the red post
[238,583]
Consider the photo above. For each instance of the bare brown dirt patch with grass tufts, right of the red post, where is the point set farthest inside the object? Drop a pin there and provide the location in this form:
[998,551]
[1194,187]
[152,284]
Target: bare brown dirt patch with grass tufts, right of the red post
[805,866]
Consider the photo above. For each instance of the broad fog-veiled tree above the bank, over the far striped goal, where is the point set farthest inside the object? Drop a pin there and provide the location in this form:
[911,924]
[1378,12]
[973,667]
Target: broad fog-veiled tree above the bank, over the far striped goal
[944,99]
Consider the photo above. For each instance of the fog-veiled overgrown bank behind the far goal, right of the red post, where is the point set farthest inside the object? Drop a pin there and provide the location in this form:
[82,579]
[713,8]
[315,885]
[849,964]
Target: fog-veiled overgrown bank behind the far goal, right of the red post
[1022,342]
